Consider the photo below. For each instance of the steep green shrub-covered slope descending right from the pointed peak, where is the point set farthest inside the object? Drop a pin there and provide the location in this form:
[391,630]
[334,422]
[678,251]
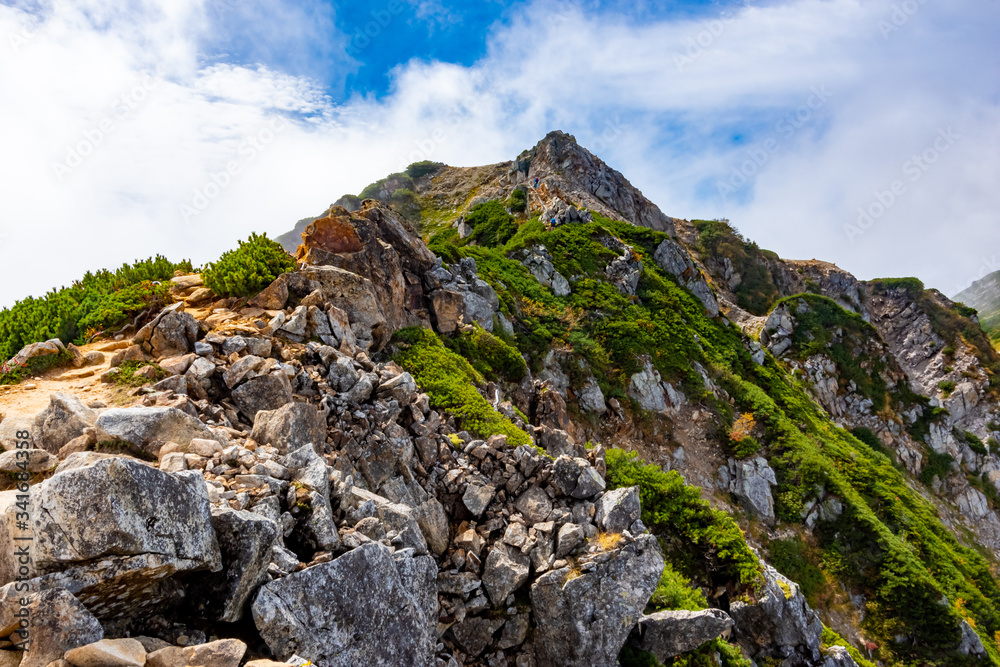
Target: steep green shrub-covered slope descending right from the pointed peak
[928,403]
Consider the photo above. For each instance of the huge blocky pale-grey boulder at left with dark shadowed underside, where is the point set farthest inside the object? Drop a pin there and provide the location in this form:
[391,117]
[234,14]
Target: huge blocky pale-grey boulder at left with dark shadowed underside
[115,533]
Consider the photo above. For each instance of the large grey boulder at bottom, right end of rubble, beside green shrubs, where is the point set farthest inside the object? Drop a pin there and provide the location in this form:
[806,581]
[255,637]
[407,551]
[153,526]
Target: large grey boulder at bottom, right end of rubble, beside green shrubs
[585,620]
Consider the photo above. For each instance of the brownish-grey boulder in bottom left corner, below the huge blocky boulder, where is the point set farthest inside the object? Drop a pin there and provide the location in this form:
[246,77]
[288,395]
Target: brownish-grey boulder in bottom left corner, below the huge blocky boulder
[57,622]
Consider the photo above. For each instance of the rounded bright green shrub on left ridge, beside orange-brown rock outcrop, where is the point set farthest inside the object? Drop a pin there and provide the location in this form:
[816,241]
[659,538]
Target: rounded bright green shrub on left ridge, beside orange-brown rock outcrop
[244,272]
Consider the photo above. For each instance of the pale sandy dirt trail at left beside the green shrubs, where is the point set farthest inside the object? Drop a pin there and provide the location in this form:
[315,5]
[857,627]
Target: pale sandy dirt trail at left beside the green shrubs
[32,395]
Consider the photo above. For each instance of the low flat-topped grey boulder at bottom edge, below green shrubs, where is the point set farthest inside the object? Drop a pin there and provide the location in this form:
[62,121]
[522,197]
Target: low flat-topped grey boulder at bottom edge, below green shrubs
[666,634]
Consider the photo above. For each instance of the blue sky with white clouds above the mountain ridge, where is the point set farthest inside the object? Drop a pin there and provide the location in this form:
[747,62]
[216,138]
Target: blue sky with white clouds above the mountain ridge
[179,126]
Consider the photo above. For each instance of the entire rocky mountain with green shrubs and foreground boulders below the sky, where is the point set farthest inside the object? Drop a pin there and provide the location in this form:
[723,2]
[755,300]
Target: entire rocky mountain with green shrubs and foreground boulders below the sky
[506,415]
